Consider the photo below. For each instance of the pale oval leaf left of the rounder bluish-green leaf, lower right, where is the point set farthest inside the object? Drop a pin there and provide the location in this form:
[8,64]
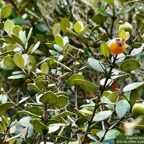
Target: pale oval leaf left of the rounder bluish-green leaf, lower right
[100,116]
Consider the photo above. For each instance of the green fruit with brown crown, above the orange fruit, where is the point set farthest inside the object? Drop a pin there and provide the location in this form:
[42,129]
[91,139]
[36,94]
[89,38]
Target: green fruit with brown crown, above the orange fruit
[125,26]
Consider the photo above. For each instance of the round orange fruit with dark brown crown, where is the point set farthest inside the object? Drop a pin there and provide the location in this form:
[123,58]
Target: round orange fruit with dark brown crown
[117,46]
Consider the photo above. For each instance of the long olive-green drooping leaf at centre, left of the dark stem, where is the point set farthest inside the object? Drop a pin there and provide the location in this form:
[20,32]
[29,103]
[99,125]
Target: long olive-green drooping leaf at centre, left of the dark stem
[85,85]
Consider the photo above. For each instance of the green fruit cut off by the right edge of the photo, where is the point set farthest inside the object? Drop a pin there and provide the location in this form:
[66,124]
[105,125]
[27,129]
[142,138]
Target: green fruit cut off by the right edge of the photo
[138,109]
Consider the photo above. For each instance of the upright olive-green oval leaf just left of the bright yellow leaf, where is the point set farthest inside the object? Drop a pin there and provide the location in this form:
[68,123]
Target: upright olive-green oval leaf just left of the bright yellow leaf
[64,24]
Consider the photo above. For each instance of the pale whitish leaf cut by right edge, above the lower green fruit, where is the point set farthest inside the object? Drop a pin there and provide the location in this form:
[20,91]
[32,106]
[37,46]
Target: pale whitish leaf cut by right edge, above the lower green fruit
[132,86]
